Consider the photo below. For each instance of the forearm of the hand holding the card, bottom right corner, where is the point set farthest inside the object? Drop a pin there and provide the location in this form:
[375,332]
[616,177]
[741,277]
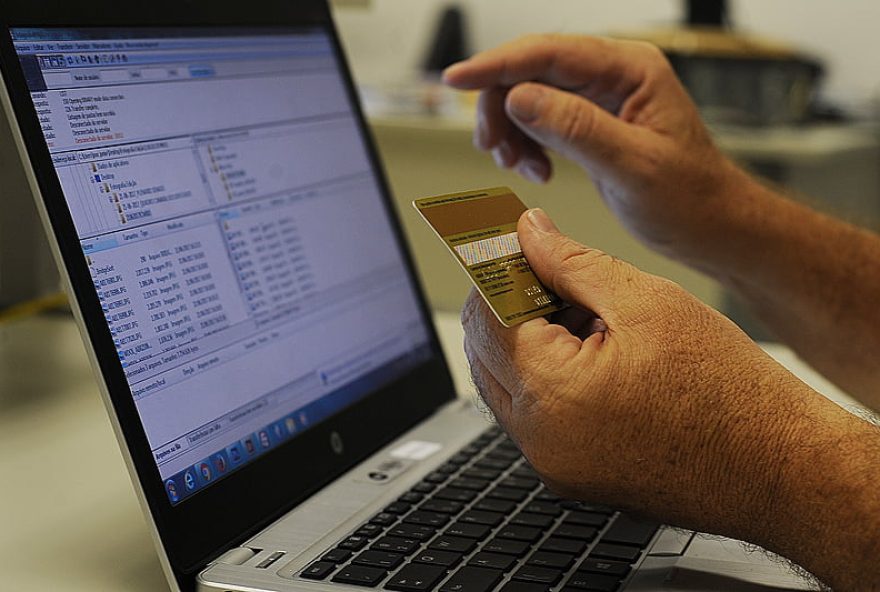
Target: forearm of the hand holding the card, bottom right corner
[825,514]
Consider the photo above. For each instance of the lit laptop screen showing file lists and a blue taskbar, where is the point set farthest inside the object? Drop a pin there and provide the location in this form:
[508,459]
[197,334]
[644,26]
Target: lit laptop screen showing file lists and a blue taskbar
[234,229]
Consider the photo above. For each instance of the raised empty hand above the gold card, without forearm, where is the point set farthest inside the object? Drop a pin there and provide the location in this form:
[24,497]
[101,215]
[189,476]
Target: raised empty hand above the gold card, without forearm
[617,109]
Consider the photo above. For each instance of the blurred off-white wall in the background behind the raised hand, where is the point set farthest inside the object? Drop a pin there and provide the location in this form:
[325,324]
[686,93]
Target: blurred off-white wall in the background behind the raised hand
[387,40]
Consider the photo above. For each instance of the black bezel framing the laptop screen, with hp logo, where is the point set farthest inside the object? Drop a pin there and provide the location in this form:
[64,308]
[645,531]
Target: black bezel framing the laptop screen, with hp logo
[200,528]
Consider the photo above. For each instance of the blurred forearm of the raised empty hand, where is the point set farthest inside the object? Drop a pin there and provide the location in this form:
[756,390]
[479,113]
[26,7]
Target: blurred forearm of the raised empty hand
[812,279]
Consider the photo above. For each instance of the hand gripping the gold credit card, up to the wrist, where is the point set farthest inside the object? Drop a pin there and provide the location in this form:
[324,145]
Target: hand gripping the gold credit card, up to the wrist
[641,396]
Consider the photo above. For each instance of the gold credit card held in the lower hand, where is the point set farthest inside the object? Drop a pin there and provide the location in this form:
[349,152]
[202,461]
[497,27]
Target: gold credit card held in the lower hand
[479,228]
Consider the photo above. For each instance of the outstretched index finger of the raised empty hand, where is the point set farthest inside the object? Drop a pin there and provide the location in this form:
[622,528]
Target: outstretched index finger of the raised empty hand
[566,61]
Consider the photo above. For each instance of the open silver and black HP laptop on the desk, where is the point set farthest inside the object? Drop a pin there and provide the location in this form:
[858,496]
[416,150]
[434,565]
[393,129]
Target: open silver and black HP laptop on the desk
[236,266]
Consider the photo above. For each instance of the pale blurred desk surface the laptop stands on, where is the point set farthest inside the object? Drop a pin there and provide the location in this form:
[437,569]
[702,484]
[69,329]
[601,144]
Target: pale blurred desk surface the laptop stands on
[68,514]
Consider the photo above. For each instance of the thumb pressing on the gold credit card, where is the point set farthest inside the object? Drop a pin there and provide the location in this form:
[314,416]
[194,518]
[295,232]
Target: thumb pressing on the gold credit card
[582,276]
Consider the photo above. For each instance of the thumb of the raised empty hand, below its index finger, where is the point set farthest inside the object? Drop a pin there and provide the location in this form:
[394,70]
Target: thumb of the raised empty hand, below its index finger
[571,125]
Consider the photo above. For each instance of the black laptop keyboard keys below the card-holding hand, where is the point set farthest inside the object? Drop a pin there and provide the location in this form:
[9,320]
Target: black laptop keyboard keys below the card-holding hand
[483,521]
